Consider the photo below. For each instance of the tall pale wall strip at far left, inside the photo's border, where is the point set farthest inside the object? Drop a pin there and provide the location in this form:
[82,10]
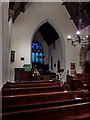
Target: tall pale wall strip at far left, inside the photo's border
[5,43]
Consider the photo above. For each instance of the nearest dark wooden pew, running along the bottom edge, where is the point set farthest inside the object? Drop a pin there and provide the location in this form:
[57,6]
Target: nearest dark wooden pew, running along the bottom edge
[63,112]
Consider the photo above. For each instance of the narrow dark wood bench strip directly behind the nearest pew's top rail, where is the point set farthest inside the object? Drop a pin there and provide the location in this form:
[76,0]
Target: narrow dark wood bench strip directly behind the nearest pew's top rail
[43,104]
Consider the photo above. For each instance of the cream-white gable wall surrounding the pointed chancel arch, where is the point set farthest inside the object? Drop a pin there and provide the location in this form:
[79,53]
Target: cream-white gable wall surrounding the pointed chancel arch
[27,24]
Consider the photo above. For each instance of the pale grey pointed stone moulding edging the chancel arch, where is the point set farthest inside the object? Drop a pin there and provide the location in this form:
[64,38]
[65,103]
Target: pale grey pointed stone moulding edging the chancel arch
[62,41]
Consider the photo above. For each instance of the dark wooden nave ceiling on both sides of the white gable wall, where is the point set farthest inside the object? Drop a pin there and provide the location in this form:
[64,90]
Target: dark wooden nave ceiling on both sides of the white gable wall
[77,11]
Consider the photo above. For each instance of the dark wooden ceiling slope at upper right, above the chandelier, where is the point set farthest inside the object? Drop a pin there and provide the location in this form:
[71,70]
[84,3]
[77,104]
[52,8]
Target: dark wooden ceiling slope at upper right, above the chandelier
[77,11]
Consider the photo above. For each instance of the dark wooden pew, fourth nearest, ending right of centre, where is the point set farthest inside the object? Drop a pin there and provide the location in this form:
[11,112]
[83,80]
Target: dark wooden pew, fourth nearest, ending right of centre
[32,90]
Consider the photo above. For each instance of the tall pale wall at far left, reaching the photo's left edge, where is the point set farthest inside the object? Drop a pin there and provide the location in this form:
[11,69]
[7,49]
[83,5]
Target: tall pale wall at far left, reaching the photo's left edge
[4,43]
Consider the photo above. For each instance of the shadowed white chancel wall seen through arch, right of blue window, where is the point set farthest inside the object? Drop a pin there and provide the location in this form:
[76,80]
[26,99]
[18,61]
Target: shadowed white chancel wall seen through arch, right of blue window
[57,54]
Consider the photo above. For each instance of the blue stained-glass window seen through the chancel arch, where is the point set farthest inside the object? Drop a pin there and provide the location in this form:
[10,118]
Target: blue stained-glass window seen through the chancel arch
[37,52]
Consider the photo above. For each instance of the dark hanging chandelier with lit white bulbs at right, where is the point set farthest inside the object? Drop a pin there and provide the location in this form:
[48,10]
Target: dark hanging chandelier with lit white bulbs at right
[79,39]
